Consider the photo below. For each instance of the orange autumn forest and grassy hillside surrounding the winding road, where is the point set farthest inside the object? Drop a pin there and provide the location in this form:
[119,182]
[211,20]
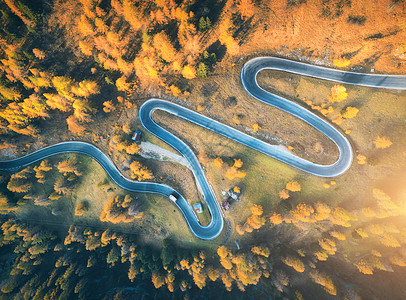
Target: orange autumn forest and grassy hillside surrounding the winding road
[79,70]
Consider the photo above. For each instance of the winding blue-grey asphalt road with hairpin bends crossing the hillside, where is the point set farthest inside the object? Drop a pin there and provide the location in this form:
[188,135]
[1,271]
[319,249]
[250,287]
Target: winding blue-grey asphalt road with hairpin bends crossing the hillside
[249,80]
